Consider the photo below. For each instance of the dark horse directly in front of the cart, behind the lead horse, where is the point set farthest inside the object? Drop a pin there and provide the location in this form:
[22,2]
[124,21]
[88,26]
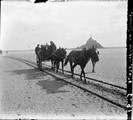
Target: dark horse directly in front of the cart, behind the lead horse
[60,55]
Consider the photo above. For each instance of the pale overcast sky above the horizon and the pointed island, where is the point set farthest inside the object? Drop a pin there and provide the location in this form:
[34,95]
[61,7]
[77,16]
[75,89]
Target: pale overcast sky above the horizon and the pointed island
[68,24]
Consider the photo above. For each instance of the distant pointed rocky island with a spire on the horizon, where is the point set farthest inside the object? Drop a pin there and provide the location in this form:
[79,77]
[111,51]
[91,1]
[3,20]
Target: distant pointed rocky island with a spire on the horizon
[90,43]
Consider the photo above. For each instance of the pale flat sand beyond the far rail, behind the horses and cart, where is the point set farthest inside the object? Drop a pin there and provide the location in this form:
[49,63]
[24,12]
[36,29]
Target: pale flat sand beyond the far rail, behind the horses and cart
[111,67]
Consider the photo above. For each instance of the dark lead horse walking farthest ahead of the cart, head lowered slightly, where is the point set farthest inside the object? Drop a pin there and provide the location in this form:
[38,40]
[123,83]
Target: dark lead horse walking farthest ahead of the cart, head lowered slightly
[81,58]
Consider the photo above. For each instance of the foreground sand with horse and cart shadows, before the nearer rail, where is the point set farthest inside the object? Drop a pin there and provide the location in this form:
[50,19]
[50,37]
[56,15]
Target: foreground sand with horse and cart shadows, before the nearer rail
[27,92]
